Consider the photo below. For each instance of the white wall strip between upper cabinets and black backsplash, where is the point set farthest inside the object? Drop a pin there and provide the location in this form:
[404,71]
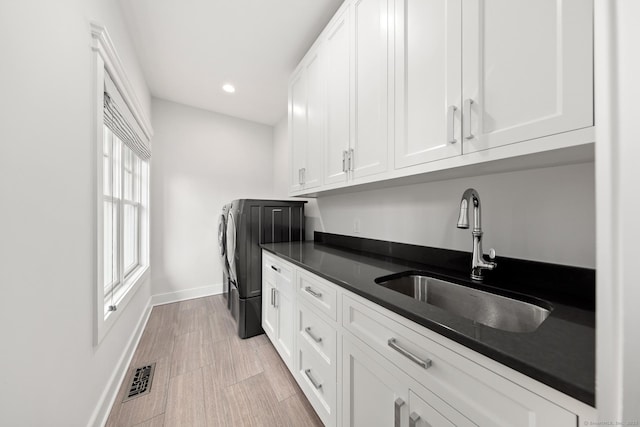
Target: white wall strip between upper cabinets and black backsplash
[543,214]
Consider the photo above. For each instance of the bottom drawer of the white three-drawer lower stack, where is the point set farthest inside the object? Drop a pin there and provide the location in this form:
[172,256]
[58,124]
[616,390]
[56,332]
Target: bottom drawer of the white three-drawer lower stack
[318,381]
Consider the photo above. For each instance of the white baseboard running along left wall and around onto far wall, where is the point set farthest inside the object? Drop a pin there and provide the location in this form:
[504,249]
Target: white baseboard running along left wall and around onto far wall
[101,413]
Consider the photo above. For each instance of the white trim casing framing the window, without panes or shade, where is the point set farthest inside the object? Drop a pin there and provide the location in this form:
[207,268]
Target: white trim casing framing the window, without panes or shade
[107,60]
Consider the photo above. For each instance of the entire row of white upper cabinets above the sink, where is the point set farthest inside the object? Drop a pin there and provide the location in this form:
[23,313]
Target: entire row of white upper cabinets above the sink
[395,88]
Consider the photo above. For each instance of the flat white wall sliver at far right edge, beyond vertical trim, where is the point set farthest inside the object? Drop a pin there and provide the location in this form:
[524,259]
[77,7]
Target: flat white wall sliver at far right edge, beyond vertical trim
[628,209]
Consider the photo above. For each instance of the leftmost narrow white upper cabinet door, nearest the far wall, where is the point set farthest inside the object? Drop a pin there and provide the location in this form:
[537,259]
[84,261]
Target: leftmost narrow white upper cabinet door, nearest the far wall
[298,128]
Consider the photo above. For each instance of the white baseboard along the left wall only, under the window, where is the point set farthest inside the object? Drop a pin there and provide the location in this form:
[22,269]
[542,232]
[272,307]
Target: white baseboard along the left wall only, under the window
[103,409]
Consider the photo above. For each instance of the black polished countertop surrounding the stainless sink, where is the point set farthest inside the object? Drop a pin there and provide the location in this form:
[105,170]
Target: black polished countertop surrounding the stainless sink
[560,353]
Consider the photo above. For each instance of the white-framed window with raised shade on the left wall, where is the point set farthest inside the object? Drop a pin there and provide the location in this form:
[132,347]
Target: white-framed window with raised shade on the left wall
[122,155]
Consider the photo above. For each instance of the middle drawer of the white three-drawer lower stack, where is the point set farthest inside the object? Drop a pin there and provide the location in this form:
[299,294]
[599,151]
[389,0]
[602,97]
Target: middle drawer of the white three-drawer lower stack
[317,333]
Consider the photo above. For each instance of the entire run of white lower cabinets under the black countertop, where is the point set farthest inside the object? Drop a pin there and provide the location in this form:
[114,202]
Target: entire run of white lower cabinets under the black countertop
[362,365]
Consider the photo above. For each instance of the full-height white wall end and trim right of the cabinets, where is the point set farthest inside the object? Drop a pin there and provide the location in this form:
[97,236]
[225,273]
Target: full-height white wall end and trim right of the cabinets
[617,152]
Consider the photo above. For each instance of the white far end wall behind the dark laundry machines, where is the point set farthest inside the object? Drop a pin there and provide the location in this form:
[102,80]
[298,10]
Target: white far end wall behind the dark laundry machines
[201,161]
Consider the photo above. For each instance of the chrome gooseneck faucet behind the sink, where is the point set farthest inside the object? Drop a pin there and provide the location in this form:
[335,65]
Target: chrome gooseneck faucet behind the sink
[478,263]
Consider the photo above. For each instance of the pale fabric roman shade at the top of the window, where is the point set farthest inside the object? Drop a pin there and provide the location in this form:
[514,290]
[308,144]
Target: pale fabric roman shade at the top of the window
[121,122]
